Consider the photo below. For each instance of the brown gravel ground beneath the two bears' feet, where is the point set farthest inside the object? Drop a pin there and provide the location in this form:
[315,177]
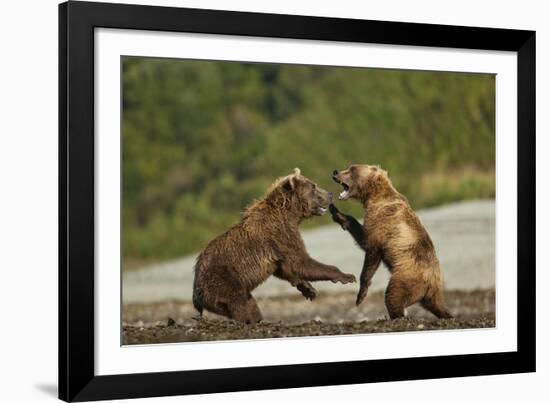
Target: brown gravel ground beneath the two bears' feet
[292,316]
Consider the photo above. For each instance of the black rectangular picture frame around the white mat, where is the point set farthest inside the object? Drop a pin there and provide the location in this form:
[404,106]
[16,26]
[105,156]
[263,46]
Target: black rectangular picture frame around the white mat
[77,380]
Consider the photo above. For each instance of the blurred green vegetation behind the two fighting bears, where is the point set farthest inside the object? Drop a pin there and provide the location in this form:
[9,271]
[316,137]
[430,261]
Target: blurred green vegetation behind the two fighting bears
[201,140]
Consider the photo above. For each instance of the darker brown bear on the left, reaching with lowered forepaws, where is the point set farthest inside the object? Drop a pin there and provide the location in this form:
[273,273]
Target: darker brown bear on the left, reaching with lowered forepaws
[265,242]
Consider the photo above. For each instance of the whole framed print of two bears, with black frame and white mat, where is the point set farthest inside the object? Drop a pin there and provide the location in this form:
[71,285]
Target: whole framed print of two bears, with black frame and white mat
[258,201]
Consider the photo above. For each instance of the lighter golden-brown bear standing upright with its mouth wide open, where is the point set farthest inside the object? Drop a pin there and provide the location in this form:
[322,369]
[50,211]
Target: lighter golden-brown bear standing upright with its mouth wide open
[391,233]
